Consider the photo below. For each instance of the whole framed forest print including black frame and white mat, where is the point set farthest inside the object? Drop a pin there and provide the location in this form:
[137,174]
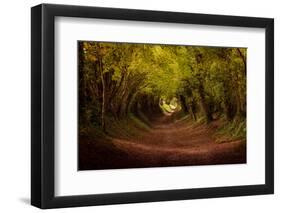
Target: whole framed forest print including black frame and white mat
[140,106]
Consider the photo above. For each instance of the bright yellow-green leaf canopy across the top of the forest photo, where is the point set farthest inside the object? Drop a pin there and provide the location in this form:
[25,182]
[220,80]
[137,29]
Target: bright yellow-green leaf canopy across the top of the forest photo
[165,67]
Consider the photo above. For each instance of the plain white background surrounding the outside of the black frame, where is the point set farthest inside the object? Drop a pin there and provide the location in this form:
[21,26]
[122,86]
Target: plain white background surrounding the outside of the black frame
[15,106]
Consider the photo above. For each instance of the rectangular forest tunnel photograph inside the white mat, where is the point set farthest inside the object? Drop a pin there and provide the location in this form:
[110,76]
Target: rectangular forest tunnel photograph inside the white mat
[144,105]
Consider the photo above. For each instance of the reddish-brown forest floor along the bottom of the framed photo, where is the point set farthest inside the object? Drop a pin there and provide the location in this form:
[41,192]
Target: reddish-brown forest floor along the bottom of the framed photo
[167,143]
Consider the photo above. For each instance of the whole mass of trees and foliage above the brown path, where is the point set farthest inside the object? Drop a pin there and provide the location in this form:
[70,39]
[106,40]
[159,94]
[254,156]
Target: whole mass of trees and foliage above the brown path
[119,79]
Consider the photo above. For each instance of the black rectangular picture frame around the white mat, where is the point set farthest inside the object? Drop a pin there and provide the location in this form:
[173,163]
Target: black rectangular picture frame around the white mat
[43,117]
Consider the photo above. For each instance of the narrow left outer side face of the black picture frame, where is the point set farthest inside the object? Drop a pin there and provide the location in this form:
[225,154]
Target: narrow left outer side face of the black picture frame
[36,60]
